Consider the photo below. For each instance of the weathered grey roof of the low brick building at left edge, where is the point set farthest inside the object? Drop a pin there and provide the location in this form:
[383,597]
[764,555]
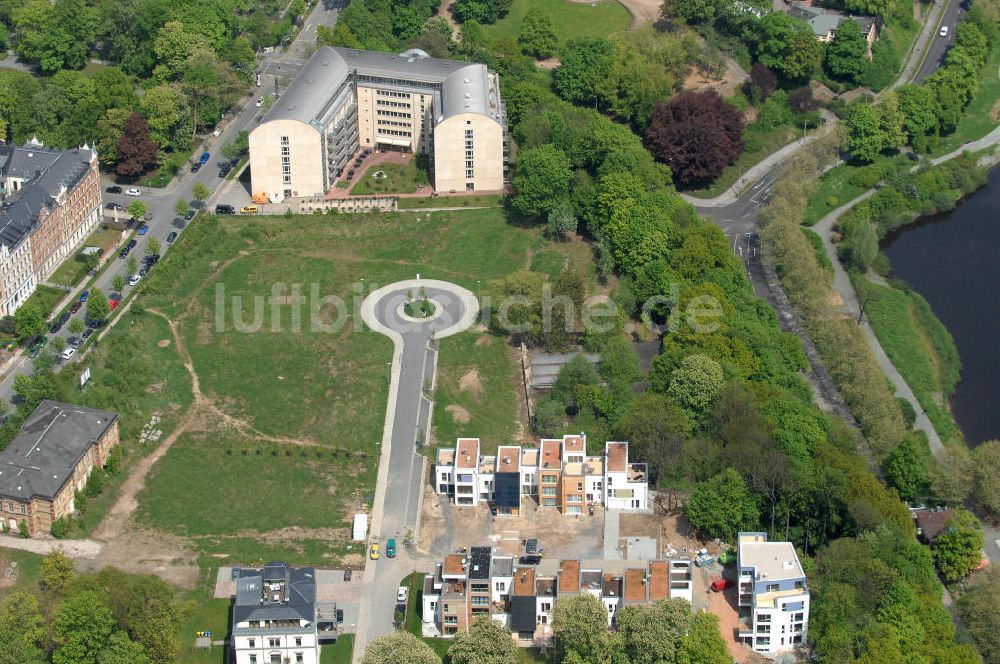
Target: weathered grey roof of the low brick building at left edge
[41,458]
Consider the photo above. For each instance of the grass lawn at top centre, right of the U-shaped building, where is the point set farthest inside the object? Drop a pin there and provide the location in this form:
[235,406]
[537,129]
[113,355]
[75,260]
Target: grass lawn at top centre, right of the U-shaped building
[569,19]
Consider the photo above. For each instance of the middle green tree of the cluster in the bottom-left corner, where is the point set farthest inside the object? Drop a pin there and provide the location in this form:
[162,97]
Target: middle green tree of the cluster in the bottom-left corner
[83,625]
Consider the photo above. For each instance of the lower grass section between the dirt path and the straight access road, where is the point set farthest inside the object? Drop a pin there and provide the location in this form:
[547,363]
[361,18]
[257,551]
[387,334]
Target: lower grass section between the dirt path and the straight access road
[292,487]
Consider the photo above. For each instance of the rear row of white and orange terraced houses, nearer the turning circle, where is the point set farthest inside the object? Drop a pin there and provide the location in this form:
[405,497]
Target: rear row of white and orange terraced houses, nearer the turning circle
[557,474]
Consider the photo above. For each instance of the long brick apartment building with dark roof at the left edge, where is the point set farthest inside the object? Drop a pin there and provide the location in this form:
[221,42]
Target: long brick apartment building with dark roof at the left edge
[51,204]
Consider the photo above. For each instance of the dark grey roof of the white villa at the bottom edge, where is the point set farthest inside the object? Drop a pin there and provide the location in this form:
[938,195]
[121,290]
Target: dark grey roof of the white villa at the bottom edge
[300,594]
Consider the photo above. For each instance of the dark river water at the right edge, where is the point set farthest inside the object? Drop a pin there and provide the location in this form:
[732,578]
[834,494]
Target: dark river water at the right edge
[953,260]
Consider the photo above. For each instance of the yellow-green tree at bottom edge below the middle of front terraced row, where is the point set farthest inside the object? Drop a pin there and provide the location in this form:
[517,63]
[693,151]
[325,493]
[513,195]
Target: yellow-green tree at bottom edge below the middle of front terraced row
[580,623]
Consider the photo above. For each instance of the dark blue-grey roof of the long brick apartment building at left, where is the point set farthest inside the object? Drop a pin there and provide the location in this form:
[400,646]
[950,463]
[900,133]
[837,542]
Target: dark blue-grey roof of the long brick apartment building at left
[47,171]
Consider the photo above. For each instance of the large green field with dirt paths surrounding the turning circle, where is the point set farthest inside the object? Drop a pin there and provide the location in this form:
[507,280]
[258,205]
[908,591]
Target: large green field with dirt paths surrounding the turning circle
[282,446]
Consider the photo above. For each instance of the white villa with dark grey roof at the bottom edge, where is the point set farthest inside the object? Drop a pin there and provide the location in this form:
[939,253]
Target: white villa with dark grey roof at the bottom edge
[276,618]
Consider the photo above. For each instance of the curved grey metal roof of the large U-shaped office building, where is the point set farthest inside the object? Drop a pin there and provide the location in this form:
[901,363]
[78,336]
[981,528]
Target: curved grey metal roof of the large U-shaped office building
[318,81]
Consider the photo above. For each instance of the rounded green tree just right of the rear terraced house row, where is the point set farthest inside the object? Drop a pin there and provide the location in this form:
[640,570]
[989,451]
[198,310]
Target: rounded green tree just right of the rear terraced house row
[723,506]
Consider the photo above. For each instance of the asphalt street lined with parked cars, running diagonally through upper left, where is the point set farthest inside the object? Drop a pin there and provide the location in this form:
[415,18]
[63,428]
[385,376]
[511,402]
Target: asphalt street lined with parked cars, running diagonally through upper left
[161,202]
